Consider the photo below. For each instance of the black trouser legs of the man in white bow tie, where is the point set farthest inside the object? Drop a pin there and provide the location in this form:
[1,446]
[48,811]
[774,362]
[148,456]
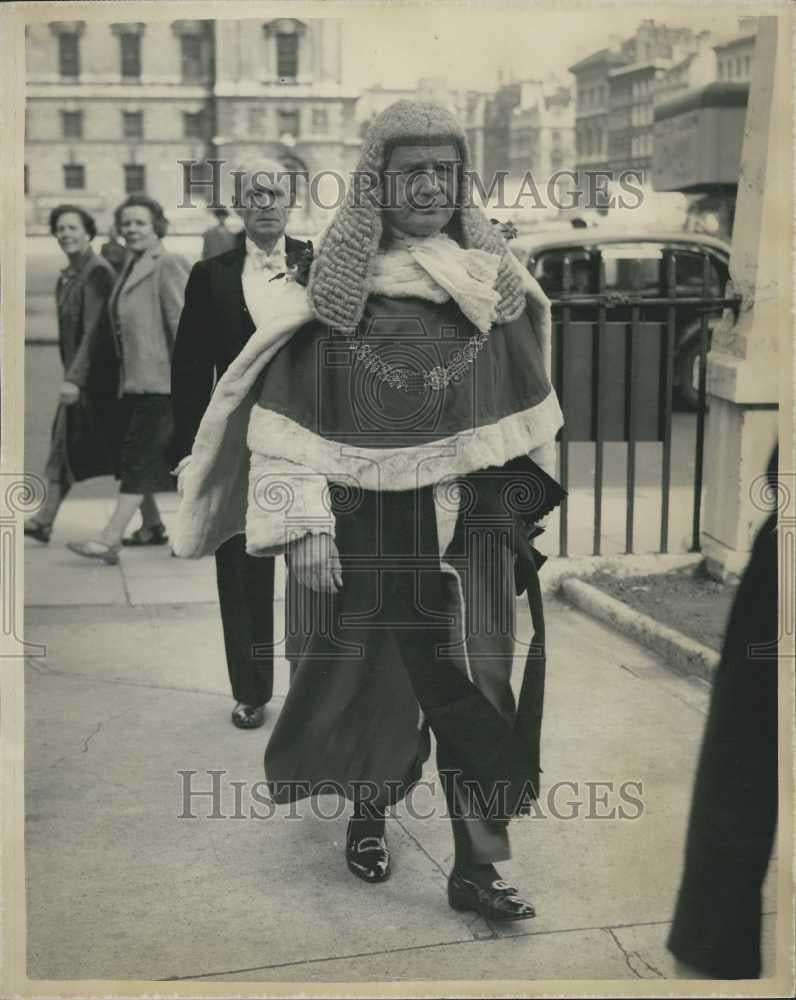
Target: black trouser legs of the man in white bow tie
[246,597]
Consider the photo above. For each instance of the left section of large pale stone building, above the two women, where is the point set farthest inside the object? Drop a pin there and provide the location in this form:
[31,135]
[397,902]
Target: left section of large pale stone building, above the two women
[110,109]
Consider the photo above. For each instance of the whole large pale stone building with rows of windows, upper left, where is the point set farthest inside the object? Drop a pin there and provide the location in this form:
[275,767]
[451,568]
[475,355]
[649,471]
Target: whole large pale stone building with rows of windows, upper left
[112,108]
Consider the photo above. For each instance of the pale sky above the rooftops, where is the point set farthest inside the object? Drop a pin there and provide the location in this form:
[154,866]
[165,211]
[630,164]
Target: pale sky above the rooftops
[469,43]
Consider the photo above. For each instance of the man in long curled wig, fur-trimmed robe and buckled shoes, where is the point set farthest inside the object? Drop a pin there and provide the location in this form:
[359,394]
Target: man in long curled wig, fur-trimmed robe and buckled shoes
[399,422]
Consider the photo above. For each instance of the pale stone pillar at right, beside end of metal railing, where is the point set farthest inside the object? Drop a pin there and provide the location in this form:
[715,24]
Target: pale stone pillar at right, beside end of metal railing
[746,376]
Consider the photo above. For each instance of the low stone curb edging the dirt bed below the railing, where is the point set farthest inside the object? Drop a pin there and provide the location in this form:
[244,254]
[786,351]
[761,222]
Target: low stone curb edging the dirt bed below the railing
[682,654]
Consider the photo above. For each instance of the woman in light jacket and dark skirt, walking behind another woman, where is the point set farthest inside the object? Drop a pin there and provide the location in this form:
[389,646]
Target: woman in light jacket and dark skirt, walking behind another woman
[145,308]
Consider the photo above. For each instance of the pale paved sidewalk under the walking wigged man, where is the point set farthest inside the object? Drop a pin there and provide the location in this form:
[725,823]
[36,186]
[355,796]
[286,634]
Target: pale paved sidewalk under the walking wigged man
[133,690]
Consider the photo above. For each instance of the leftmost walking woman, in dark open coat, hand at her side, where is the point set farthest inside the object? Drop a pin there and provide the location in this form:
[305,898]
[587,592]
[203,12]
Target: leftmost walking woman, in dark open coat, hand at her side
[81,444]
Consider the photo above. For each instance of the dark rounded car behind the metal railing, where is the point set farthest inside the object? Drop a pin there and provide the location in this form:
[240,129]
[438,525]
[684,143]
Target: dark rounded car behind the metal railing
[634,265]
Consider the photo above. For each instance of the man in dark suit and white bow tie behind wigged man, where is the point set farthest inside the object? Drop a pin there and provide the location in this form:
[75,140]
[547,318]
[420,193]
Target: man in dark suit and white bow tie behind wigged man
[222,295]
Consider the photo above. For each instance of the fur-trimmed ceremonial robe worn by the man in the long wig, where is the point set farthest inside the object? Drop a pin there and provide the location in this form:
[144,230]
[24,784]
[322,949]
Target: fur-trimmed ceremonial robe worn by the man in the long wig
[433,628]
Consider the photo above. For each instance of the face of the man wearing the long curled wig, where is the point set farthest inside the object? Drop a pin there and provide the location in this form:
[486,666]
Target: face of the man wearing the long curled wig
[420,188]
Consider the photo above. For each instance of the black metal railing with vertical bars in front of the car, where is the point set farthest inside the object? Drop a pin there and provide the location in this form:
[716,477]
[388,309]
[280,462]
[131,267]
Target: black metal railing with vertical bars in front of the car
[604,305]
